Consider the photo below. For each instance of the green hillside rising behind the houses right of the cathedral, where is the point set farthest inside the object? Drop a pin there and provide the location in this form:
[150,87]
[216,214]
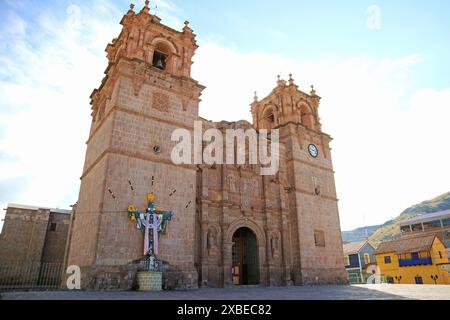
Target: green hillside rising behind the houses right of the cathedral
[391,229]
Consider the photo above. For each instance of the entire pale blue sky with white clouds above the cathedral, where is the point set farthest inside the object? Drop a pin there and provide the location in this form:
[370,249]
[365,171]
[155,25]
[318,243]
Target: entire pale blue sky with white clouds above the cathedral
[381,67]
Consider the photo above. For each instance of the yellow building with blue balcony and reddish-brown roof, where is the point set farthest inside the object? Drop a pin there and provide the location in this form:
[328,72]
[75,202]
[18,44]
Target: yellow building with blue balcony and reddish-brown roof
[418,260]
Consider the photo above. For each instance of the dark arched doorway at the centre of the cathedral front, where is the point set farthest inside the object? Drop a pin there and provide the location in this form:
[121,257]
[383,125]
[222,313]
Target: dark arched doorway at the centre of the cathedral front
[245,268]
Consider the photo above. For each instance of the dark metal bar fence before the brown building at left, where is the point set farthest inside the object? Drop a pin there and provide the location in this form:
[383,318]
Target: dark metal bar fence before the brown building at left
[30,275]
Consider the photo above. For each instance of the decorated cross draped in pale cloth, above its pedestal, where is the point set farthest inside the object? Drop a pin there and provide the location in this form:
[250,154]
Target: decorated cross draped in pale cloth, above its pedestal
[152,221]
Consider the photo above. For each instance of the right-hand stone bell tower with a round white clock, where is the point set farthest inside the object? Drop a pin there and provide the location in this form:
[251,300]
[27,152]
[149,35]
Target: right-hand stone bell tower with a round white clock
[307,177]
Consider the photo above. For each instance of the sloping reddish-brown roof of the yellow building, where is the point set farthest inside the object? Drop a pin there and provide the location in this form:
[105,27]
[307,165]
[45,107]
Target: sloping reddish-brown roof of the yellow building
[416,244]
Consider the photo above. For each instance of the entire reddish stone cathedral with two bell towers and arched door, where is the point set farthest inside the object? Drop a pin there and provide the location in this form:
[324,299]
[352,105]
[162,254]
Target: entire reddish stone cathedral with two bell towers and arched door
[232,226]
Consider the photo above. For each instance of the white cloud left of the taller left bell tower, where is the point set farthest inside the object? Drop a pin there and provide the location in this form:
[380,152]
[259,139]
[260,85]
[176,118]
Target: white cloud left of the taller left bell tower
[44,99]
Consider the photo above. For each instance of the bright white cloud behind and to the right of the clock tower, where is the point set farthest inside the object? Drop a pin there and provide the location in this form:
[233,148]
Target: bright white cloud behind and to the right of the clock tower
[383,132]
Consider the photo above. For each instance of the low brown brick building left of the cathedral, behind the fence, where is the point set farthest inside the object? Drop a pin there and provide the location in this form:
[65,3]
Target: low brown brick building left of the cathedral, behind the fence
[29,251]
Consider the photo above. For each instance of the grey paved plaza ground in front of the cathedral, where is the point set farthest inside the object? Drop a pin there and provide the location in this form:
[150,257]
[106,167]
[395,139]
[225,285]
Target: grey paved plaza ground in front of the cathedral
[357,292]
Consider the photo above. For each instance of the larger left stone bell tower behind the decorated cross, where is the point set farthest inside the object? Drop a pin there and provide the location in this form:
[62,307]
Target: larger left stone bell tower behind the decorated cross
[146,94]
